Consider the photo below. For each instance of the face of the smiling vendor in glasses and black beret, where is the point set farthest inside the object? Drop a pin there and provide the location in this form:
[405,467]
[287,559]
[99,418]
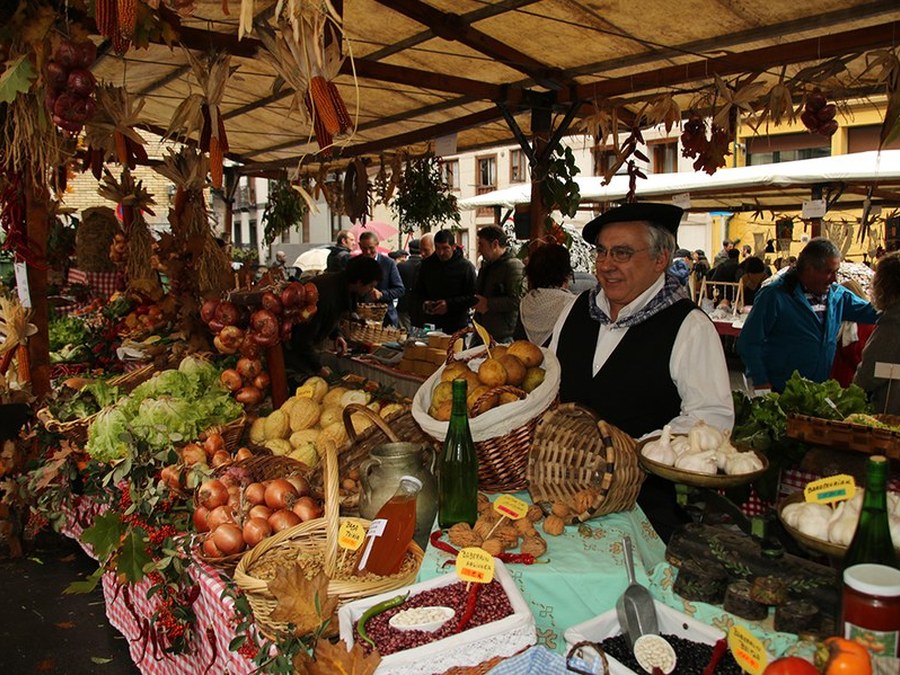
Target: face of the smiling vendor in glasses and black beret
[623,281]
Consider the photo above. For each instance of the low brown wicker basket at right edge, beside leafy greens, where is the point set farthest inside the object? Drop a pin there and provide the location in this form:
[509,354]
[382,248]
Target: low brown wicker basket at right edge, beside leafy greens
[836,433]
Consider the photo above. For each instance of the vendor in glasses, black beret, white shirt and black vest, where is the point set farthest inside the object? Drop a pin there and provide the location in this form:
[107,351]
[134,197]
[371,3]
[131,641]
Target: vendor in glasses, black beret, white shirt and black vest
[636,349]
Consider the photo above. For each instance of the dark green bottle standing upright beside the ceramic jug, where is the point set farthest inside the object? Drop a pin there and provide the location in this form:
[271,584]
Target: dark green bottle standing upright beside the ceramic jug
[458,473]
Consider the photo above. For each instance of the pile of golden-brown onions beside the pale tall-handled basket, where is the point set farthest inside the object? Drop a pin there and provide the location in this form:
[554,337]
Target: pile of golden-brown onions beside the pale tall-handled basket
[235,518]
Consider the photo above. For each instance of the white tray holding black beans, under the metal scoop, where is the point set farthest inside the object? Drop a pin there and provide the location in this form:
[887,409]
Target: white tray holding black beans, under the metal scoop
[671,622]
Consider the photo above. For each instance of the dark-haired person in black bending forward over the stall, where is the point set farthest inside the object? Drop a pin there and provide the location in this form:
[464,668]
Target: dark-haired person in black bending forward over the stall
[338,294]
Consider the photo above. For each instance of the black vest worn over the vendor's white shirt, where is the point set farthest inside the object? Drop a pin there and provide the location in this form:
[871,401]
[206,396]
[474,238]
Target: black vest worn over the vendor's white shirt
[634,389]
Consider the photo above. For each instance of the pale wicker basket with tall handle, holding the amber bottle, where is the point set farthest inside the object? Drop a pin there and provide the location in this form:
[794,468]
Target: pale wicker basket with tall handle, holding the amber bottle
[314,540]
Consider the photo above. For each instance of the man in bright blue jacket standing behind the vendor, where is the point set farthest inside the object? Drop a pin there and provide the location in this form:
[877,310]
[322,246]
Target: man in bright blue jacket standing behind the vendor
[795,320]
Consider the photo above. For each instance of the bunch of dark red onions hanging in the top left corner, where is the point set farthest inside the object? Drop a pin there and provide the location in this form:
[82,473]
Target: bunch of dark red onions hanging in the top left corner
[69,96]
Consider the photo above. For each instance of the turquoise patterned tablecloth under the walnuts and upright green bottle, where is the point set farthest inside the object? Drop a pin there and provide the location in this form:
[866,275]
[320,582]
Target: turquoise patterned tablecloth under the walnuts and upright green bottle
[585,575]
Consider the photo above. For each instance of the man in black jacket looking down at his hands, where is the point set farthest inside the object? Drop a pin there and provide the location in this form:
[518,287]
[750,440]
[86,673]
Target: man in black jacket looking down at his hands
[445,289]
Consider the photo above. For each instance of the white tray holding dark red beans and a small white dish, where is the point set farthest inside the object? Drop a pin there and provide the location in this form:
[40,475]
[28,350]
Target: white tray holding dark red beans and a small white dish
[469,648]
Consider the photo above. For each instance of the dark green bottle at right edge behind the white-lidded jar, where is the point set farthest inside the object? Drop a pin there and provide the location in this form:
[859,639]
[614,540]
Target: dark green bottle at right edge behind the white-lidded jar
[872,541]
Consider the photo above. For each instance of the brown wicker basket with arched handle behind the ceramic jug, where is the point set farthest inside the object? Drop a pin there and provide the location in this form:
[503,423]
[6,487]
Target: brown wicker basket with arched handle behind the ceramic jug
[398,426]
